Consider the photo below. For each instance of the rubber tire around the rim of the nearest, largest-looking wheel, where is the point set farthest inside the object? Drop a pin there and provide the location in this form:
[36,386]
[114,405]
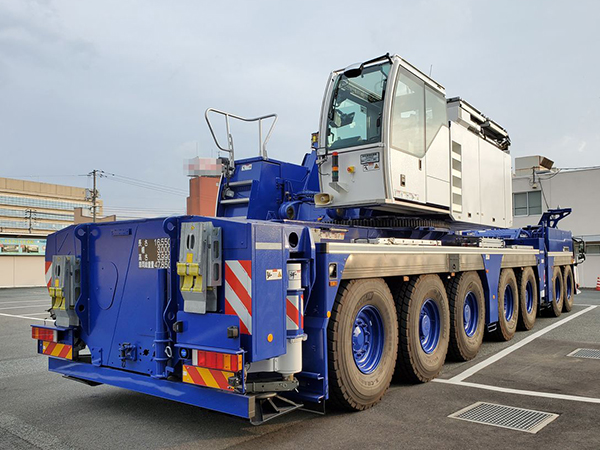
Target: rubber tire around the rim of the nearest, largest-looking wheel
[349,388]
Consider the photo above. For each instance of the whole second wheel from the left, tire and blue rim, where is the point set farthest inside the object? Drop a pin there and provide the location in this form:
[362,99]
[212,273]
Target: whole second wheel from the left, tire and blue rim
[424,328]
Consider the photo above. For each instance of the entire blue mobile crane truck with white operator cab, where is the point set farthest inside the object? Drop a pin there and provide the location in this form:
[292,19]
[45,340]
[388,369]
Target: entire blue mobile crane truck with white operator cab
[386,251]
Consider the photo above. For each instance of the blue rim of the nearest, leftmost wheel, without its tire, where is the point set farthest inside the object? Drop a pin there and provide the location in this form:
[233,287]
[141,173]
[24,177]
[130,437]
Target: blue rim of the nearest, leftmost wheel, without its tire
[367,339]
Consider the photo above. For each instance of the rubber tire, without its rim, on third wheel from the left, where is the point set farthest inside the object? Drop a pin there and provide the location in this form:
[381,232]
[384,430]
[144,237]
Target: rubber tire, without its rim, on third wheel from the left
[461,346]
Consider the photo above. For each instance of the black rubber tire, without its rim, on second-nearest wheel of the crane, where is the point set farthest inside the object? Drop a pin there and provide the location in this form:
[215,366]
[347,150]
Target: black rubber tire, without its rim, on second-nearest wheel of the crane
[413,363]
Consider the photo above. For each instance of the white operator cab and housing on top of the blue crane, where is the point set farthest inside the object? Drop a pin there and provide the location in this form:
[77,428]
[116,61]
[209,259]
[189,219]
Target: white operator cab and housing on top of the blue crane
[390,141]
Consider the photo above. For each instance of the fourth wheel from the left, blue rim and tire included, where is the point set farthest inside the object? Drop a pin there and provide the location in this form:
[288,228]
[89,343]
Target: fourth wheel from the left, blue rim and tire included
[508,305]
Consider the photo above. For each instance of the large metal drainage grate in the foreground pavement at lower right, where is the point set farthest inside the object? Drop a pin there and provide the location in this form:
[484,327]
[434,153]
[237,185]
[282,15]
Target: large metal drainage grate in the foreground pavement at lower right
[505,416]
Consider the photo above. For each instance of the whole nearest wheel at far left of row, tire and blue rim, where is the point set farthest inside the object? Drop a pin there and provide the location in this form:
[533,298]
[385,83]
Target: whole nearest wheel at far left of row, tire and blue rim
[363,344]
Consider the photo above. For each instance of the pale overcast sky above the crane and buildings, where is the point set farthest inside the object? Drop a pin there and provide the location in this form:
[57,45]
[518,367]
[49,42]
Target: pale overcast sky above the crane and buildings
[122,86]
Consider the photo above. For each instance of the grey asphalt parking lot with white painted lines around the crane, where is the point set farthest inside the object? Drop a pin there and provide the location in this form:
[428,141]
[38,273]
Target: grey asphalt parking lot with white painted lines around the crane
[42,410]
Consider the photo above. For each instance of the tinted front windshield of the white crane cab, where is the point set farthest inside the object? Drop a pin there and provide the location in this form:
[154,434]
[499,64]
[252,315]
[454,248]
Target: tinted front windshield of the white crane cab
[355,113]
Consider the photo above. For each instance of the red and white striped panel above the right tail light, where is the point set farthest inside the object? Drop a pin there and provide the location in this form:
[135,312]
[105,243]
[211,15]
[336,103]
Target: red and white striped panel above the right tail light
[238,292]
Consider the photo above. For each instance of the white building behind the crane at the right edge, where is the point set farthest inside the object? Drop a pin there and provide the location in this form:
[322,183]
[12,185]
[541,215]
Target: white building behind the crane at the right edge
[537,187]
